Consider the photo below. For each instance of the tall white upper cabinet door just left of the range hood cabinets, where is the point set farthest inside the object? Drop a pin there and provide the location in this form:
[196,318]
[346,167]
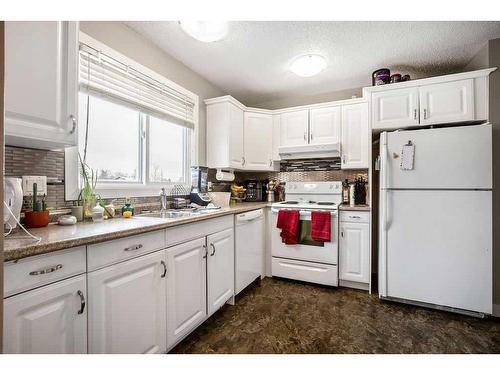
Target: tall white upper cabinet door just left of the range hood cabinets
[258,136]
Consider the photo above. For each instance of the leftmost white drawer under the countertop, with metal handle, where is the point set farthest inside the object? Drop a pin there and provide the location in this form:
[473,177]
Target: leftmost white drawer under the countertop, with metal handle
[36,271]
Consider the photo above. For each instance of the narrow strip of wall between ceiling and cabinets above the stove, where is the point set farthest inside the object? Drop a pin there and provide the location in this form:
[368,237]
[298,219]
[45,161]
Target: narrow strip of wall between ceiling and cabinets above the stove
[306,100]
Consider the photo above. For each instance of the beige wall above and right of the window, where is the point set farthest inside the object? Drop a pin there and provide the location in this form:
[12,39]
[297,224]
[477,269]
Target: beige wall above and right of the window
[128,42]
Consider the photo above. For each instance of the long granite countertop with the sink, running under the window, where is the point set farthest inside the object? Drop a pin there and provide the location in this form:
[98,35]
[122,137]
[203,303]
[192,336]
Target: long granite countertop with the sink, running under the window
[57,237]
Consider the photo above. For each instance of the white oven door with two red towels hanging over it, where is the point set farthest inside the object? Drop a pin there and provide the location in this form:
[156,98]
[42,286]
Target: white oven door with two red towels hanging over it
[307,249]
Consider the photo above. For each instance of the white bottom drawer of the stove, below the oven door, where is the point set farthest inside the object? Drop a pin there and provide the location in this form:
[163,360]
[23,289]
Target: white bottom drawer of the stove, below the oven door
[319,273]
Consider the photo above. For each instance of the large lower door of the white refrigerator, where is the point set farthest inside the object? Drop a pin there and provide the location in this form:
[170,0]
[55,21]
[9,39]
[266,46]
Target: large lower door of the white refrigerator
[439,248]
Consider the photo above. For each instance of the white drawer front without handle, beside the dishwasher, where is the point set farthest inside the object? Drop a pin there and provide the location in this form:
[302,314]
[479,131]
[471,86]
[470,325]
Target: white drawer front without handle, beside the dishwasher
[187,232]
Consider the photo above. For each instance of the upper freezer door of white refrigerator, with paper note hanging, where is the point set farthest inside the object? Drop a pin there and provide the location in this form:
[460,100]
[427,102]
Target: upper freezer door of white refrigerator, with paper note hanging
[445,158]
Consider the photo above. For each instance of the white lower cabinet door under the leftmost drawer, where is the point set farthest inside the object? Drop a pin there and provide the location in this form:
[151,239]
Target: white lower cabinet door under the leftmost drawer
[47,320]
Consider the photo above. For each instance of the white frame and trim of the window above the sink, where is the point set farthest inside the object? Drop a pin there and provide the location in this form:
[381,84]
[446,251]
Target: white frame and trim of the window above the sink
[144,187]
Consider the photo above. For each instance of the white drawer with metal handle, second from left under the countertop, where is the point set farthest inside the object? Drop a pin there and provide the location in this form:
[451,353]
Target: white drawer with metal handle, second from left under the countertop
[110,252]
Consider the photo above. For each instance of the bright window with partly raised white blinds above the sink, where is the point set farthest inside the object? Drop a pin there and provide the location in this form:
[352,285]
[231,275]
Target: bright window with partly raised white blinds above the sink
[134,126]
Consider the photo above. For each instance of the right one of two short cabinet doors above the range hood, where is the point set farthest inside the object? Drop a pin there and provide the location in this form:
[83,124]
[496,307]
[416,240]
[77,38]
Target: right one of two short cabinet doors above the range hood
[325,125]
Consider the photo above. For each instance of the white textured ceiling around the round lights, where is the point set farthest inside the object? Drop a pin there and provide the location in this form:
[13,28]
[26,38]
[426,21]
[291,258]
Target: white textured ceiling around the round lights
[251,63]
